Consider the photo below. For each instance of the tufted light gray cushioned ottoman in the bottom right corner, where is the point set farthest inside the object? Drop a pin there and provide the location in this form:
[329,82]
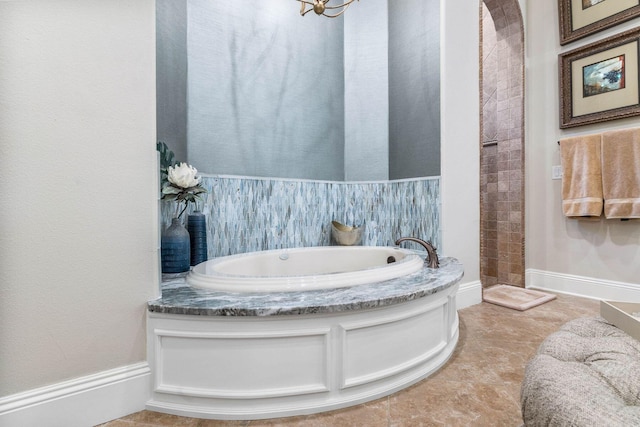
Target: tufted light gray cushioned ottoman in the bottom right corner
[586,374]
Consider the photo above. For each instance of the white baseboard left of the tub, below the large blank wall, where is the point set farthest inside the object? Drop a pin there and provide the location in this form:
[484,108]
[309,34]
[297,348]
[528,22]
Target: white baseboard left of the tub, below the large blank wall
[82,402]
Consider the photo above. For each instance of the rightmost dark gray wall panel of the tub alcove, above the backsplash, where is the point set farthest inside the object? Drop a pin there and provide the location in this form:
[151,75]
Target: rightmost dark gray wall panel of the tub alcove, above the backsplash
[414,88]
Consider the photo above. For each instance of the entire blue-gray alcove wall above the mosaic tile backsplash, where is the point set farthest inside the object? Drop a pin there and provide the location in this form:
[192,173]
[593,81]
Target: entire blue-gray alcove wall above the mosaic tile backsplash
[275,95]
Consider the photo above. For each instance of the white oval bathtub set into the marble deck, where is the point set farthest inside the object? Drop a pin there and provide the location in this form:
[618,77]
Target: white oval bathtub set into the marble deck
[304,269]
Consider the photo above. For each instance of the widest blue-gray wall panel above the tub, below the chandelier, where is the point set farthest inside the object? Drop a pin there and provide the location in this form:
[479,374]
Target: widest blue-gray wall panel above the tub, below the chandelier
[266,90]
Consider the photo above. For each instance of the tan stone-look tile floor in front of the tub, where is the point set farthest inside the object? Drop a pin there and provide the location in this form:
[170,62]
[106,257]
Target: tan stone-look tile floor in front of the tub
[479,385]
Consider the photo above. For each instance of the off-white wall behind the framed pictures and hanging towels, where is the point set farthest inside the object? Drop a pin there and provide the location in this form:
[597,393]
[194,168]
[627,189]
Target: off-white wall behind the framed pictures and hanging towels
[607,250]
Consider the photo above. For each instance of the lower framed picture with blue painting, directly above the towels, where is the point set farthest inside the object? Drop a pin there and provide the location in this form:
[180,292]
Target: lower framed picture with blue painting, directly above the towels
[599,82]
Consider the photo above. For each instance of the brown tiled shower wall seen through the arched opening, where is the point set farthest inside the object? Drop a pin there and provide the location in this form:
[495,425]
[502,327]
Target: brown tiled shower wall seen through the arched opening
[502,165]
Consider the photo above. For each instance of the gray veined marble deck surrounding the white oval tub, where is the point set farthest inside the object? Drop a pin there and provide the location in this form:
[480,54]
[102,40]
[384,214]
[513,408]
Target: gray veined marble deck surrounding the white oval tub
[180,298]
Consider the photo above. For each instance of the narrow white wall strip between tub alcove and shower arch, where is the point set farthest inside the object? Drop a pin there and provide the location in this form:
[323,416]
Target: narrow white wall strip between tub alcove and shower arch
[461,134]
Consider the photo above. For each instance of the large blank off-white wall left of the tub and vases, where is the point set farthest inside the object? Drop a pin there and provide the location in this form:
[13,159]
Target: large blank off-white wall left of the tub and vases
[78,218]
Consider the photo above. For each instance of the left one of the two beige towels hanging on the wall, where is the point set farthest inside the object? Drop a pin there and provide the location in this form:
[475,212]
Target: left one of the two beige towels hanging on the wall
[581,176]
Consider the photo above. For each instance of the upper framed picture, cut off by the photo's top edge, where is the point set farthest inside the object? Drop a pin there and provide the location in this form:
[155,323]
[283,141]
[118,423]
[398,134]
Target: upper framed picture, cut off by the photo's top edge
[580,18]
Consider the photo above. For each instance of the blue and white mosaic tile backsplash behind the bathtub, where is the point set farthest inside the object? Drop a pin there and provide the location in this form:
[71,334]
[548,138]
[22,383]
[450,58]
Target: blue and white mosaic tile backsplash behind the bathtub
[252,214]
